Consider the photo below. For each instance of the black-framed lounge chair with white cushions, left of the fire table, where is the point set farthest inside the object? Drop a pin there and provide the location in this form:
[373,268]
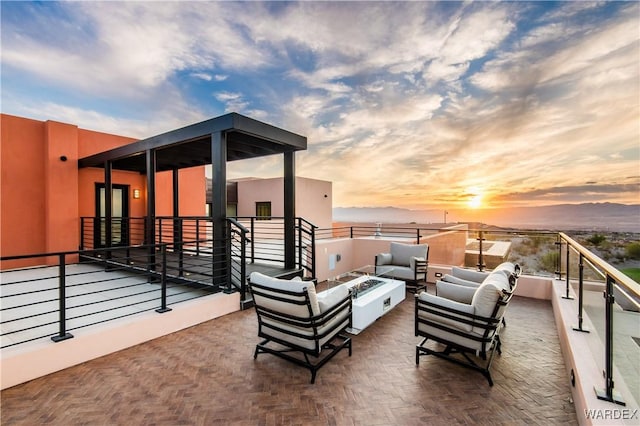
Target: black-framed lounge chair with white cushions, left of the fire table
[292,318]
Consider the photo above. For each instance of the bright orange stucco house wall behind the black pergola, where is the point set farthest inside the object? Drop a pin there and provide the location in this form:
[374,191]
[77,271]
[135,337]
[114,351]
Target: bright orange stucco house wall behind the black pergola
[42,197]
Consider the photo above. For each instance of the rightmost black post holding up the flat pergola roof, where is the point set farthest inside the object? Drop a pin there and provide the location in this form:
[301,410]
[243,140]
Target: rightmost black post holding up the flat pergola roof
[289,210]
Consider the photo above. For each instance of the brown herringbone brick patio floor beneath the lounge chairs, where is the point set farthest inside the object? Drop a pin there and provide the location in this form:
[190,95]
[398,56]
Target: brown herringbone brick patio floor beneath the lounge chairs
[207,375]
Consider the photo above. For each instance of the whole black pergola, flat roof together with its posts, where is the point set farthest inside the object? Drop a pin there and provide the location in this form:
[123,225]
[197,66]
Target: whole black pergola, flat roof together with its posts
[230,137]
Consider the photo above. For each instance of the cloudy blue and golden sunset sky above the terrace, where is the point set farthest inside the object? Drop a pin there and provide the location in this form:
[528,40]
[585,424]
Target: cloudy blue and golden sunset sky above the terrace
[407,104]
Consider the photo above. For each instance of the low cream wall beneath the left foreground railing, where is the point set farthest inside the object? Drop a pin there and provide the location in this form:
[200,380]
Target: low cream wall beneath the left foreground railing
[29,361]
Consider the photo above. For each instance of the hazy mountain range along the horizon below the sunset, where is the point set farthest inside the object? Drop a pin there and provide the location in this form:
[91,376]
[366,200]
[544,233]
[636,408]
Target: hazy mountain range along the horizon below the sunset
[587,216]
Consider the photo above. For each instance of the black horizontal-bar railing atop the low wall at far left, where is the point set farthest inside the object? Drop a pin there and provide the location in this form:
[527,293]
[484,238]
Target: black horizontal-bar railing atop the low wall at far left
[77,289]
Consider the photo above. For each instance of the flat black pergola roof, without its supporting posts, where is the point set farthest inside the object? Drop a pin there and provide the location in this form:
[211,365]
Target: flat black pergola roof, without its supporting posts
[191,145]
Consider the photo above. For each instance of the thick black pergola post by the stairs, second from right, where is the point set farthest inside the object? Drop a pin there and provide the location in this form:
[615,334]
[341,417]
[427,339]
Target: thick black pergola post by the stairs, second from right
[219,207]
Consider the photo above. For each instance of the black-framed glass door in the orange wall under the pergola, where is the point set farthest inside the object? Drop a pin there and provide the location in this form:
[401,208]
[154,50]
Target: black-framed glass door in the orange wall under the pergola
[119,216]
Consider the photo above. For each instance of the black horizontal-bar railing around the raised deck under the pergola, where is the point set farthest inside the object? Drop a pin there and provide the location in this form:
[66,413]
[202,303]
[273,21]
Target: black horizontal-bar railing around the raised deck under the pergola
[246,240]
